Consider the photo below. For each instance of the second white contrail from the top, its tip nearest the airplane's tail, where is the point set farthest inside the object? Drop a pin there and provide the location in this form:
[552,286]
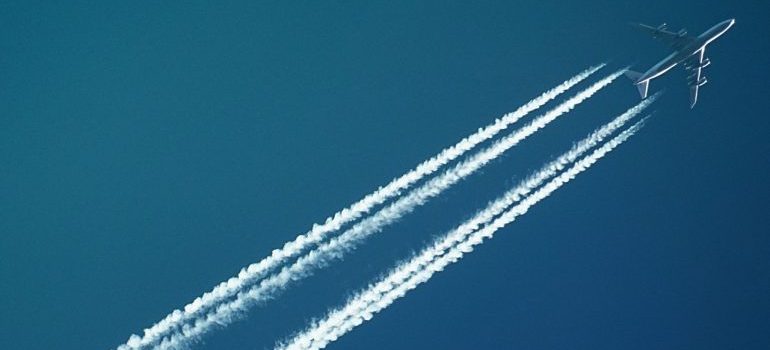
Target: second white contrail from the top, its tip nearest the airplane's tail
[336,247]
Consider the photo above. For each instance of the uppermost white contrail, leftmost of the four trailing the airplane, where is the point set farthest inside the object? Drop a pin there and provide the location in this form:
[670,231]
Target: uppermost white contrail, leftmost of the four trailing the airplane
[333,223]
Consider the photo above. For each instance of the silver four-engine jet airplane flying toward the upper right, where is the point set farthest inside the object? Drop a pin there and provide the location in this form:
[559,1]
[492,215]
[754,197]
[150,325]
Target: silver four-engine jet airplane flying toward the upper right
[688,50]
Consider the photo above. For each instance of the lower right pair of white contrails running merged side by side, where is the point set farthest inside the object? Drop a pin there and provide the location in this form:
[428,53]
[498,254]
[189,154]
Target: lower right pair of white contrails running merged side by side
[461,240]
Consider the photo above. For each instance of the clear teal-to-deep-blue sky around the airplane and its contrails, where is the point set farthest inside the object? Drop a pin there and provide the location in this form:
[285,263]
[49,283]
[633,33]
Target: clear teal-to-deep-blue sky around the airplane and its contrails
[148,151]
